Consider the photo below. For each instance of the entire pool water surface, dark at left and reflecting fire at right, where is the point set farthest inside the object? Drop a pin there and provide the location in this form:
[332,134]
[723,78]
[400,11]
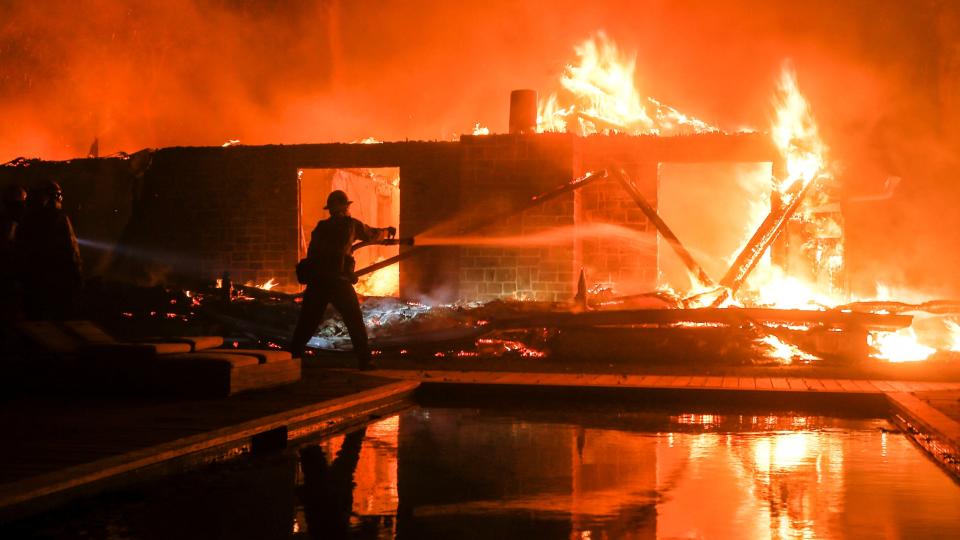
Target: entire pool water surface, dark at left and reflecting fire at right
[434,472]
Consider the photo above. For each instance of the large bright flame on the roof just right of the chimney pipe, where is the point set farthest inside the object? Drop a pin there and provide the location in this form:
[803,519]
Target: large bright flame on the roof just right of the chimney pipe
[600,95]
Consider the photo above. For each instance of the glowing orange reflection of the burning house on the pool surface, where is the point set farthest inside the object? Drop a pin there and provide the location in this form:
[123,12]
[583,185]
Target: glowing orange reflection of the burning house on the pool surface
[438,473]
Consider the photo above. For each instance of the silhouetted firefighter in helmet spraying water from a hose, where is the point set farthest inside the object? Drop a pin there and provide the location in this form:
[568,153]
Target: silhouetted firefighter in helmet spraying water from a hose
[328,273]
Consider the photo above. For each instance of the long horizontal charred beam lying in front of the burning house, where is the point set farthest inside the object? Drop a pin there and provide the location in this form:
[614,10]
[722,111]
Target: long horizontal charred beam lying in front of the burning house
[727,316]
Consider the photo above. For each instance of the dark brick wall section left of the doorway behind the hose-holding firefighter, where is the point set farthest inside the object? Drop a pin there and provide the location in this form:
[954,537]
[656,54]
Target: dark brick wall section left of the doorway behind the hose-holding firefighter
[203,212]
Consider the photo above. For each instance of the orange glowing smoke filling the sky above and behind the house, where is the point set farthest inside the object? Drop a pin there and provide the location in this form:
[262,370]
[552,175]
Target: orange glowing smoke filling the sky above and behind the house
[881,76]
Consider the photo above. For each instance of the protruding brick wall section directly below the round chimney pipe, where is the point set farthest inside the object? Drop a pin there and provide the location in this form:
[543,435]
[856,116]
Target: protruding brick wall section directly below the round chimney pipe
[501,173]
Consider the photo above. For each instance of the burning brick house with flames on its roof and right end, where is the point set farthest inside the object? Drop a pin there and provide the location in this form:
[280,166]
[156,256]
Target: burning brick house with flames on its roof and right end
[595,191]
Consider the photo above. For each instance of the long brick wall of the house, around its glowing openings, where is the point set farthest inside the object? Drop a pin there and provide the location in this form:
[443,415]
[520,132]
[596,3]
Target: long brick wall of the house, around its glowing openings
[189,214]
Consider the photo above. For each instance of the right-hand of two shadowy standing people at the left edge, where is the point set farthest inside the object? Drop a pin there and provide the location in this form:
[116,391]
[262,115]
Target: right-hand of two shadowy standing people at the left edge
[48,256]
